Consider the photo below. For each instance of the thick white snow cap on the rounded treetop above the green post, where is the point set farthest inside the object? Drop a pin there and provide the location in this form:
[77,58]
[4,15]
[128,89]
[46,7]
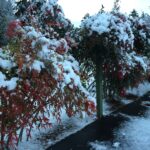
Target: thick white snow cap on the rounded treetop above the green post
[116,27]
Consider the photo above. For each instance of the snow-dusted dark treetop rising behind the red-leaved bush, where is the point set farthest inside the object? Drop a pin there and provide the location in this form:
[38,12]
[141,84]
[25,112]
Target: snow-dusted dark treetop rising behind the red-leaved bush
[48,16]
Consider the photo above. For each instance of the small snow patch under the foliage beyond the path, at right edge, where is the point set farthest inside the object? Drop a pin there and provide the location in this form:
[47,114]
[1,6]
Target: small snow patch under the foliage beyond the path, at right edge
[142,89]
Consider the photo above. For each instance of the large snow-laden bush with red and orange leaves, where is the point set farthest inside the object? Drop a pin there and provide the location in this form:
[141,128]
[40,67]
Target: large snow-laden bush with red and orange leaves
[38,78]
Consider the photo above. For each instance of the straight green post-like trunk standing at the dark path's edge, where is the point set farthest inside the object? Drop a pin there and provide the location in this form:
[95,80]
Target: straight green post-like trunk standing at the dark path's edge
[99,89]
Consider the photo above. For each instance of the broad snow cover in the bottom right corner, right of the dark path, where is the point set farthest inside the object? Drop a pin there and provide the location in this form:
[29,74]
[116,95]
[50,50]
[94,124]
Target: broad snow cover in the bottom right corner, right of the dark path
[133,135]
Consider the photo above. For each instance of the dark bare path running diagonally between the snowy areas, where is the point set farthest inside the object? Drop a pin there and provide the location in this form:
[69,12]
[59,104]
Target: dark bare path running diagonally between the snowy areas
[101,130]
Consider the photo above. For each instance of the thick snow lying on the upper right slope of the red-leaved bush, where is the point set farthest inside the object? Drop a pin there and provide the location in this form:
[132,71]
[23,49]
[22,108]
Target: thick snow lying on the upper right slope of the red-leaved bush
[66,68]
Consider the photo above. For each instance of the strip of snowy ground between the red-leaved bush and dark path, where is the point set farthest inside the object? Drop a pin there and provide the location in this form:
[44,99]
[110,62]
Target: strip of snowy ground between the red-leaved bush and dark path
[45,137]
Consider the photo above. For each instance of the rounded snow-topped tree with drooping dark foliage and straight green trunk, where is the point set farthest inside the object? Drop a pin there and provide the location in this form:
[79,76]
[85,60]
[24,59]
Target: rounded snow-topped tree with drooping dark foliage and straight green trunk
[106,44]
